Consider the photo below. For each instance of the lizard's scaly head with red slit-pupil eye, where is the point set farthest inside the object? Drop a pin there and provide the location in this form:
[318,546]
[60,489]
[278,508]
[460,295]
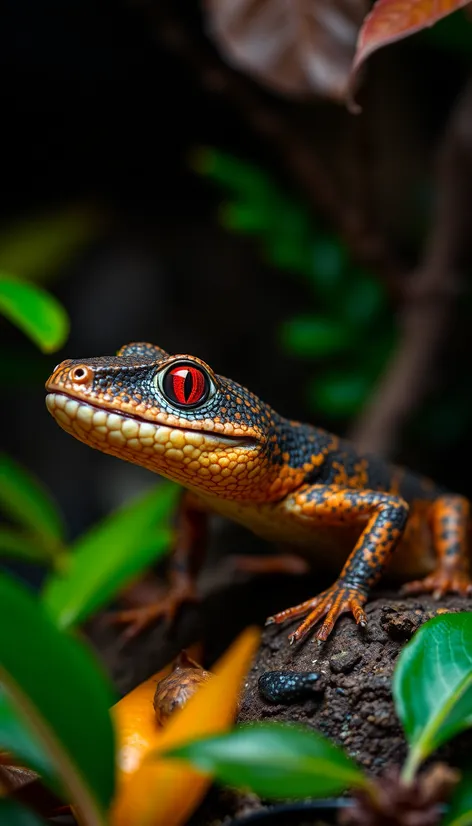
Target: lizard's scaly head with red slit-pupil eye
[170,414]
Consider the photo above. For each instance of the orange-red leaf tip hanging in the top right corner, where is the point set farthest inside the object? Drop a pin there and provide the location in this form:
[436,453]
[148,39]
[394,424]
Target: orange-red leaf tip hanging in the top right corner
[392,20]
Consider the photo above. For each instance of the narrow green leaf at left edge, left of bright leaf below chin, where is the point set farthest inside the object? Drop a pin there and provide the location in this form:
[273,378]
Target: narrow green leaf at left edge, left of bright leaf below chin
[27,502]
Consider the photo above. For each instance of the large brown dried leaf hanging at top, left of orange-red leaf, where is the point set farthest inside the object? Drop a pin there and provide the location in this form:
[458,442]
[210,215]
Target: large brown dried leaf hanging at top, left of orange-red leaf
[297,48]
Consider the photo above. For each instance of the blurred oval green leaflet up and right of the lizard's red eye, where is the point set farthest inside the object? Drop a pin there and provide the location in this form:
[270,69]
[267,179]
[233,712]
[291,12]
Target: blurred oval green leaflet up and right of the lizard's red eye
[315,336]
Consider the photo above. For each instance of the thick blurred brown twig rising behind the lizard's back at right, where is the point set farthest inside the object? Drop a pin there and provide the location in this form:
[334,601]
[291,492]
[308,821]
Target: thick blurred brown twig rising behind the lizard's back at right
[428,305]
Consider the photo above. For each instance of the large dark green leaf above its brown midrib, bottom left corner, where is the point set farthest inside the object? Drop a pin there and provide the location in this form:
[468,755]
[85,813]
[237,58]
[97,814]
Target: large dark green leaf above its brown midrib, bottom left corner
[61,696]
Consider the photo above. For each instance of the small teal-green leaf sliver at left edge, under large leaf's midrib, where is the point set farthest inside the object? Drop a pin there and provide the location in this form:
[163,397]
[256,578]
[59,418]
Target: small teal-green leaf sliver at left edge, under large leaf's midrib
[16,739]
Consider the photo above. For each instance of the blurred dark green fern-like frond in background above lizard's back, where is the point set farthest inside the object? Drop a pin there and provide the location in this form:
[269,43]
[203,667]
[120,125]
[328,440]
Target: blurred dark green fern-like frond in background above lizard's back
[349,334]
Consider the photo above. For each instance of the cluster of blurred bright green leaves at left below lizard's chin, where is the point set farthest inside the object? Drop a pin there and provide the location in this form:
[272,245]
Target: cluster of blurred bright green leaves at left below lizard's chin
[87,574]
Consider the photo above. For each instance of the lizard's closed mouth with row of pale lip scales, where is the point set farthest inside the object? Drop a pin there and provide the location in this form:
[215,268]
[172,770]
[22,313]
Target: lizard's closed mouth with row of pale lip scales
[73,414]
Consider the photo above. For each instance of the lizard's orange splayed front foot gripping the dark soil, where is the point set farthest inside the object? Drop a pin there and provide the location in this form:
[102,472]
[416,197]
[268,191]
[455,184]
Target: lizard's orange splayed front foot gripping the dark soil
[333,602]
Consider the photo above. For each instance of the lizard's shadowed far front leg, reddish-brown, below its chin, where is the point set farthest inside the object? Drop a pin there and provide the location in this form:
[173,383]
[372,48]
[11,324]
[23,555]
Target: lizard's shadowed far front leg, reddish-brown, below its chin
[184,566]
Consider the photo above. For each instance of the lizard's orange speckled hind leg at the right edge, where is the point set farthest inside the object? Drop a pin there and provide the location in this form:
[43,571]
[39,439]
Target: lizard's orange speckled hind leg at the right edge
[449,519]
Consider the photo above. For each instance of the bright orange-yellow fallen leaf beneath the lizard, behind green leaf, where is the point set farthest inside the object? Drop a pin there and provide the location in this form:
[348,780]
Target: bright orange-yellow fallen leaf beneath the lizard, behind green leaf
[164,792]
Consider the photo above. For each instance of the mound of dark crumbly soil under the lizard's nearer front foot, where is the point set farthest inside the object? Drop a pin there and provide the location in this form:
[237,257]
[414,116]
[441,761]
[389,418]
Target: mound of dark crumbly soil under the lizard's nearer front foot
[352,702]
